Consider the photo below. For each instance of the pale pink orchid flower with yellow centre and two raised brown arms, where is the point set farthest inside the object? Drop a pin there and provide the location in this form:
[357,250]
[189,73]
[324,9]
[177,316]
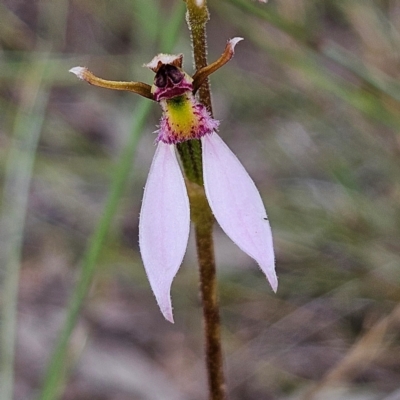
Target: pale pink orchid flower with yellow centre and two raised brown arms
[232,195]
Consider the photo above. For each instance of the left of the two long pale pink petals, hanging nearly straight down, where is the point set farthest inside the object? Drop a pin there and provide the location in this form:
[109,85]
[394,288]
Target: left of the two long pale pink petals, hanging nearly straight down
[164,224]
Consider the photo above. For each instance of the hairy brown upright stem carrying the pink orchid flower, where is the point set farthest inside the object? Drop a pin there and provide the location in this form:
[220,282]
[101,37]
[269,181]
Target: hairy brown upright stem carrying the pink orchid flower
[197,17]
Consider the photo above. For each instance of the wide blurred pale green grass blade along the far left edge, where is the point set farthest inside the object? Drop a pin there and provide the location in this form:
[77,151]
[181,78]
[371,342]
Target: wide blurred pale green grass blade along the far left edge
[28,123]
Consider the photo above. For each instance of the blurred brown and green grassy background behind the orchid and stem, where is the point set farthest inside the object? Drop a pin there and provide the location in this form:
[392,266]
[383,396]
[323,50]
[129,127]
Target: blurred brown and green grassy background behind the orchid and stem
[310,104]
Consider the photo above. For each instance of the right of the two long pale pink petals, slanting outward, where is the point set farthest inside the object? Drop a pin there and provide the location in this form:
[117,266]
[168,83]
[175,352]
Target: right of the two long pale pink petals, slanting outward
[237,205]
